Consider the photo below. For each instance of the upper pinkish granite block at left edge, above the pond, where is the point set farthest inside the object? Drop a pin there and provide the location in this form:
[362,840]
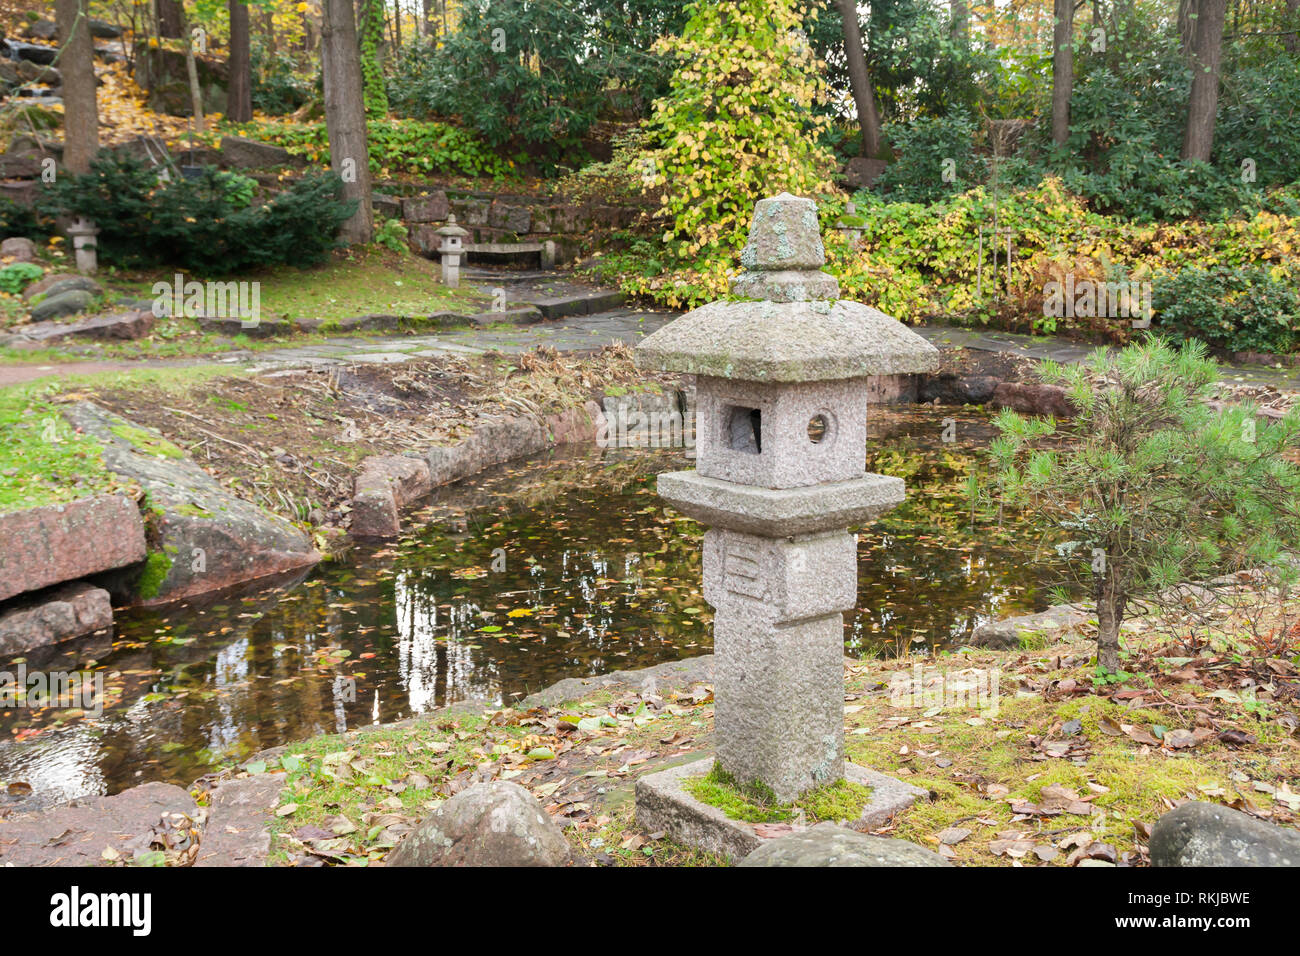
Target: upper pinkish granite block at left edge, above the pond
[60,543]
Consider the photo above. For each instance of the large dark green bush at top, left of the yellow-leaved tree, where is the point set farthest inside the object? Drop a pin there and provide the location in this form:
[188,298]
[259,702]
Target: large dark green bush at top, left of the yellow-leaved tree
[538,76]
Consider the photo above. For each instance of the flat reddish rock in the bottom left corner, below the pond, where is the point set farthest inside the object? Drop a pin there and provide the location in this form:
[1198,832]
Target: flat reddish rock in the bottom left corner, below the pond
[77,834]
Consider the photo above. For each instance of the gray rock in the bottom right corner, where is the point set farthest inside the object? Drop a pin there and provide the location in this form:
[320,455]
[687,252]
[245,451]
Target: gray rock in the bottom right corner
[1202,834]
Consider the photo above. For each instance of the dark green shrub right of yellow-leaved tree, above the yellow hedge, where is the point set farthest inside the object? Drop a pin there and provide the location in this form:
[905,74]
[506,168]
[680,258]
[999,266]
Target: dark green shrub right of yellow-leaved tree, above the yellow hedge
[926,148]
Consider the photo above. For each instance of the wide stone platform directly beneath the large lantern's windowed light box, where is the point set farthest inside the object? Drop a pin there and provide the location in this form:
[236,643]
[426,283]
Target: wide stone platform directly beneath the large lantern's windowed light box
[781,513]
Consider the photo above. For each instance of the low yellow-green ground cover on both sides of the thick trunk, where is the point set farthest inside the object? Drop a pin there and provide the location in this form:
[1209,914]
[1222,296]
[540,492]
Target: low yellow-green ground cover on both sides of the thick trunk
[397,146]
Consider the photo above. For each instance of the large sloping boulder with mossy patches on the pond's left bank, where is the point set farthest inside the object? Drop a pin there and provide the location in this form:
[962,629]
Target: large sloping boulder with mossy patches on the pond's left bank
[207,538]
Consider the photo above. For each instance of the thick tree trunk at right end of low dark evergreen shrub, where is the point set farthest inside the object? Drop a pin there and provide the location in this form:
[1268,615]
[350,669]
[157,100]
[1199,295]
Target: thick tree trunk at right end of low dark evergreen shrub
[345,115]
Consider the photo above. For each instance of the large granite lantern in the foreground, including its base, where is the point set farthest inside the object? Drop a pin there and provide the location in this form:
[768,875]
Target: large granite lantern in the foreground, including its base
[781,453]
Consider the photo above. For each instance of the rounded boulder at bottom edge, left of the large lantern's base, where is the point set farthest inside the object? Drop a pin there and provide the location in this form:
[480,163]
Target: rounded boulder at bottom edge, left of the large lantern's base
[487,825]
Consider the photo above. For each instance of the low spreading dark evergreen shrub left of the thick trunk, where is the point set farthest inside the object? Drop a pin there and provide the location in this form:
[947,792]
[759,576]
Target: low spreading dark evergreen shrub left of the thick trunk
[200,224]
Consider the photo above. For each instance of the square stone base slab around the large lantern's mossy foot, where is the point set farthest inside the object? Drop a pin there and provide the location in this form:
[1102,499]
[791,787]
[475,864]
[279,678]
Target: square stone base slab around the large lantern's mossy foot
[664,804]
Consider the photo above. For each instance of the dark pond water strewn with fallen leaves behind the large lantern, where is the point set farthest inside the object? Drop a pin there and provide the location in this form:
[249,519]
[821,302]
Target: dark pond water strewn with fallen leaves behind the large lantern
[562,566]
